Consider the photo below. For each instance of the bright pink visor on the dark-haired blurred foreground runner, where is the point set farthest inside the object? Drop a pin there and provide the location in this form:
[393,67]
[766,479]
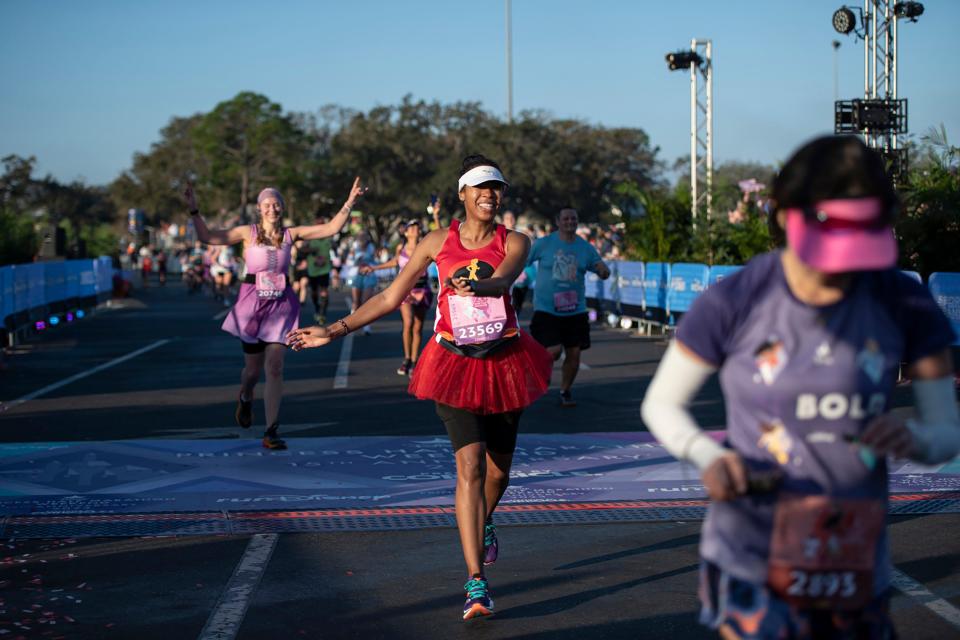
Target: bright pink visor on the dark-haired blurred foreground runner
[843,235]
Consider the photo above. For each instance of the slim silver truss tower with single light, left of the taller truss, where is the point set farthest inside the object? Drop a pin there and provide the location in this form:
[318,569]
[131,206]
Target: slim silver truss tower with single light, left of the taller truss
[701,128]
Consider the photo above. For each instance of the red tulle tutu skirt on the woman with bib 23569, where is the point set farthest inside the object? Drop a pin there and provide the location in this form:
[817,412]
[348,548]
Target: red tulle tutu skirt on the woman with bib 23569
[506,380]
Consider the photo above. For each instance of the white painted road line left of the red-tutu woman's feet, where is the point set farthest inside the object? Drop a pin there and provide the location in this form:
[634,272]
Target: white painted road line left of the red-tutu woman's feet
[231,608]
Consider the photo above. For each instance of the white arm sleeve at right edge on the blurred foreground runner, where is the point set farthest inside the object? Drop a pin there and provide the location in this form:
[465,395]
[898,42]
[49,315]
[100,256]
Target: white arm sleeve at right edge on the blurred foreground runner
[936,434]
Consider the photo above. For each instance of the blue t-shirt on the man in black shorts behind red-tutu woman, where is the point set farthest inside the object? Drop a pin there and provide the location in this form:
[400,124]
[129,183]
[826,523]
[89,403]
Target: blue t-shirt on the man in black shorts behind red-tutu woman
[560,274]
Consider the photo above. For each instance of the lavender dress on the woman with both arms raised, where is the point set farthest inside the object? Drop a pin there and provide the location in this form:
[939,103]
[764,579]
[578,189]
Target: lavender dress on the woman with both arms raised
[268,319]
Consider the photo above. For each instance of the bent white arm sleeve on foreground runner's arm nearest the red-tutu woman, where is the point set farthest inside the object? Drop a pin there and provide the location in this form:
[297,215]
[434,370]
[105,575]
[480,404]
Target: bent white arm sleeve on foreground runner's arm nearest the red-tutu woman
[677,380]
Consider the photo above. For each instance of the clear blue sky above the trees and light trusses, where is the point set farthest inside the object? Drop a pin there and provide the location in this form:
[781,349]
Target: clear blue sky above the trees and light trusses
[87,84]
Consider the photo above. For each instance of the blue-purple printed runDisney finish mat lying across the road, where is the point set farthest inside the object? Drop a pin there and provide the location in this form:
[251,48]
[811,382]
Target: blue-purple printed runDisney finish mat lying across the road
[152,476]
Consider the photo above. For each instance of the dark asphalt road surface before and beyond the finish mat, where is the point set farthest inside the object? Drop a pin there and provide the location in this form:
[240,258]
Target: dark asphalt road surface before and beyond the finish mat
[588,581]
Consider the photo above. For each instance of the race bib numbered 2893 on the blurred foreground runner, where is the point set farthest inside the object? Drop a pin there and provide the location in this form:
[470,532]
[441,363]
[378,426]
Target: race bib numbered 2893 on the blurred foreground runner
[822,550]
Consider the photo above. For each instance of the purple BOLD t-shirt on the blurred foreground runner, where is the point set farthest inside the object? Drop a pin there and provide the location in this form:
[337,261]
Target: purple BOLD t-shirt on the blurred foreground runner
[800,383]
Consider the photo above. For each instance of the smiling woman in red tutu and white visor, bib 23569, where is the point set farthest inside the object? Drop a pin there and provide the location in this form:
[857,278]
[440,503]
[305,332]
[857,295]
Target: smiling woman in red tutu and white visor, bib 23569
[479,368]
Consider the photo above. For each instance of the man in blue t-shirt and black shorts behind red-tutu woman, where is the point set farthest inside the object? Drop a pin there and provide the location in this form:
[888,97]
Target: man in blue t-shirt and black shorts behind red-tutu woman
[560,322]
